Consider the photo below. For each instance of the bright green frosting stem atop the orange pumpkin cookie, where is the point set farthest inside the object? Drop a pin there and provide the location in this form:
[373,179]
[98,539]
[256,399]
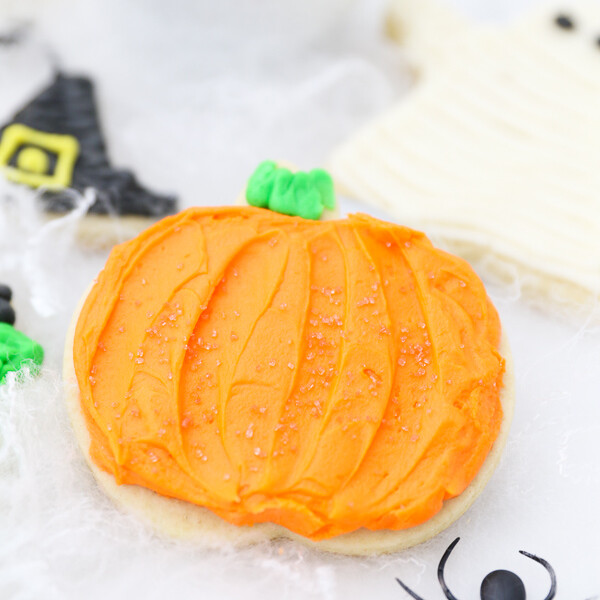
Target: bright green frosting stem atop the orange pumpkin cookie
[298,194]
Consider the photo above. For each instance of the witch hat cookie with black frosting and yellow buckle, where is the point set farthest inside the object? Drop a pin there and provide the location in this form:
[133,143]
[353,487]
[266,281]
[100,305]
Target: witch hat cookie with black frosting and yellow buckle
[55,144]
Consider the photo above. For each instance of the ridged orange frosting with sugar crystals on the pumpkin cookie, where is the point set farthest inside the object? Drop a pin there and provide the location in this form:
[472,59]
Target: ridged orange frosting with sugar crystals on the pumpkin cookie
[325,376]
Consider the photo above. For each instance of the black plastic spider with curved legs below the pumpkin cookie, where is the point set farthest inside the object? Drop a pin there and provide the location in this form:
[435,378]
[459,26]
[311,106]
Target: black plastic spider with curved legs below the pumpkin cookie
[497,585]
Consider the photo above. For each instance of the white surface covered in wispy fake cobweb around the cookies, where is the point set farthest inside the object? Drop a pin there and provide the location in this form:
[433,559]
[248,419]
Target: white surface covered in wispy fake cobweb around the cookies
[192,96]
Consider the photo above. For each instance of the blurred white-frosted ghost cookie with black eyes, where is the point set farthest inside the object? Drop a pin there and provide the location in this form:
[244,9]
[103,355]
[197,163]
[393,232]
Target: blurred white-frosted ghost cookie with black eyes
[496,148]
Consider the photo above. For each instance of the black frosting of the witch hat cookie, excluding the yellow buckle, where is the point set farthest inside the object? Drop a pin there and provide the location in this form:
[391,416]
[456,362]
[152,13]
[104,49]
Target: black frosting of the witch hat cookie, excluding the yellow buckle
[68,107]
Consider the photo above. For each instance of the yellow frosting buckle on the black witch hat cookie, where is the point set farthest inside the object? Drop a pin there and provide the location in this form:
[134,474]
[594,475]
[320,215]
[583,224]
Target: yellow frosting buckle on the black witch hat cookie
[32,148]
